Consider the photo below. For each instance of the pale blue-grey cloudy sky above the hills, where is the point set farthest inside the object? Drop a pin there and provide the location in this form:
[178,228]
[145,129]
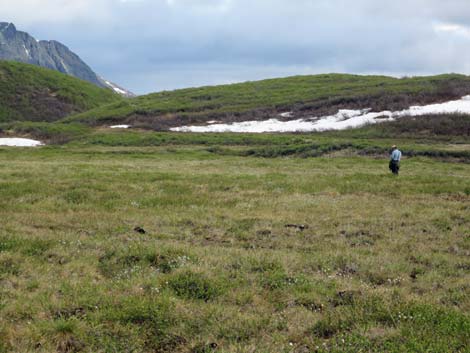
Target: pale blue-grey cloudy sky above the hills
[152,45]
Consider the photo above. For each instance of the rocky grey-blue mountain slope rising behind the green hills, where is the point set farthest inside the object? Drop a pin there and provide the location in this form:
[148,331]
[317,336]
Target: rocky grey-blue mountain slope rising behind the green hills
[22,47]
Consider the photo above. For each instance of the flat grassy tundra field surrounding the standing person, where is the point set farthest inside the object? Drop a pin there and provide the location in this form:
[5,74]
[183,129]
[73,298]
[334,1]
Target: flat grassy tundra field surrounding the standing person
[184,245]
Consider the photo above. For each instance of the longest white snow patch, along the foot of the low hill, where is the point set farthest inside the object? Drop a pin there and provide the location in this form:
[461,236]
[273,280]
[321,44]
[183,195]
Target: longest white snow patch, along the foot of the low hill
[344,119]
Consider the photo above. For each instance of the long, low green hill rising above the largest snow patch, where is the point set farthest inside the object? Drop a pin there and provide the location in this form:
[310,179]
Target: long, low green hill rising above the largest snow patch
[305,95]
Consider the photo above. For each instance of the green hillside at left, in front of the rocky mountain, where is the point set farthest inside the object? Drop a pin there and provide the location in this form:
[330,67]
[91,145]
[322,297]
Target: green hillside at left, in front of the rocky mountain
[31,93]
